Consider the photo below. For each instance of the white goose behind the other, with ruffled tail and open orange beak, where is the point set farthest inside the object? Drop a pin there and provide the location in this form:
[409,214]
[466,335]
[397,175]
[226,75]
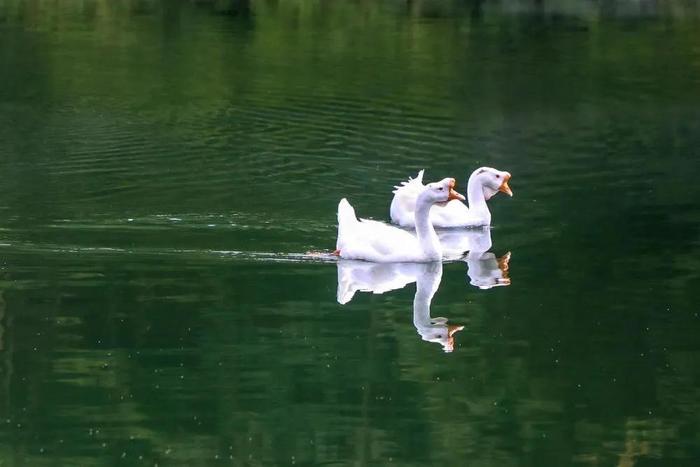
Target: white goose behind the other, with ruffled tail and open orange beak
[484,182]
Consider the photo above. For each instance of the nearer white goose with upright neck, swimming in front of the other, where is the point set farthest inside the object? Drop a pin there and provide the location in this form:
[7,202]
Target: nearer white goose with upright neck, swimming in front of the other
[378,242]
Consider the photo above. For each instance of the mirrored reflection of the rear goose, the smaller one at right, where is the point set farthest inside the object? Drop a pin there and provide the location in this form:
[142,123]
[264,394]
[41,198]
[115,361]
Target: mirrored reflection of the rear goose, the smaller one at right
[484,269]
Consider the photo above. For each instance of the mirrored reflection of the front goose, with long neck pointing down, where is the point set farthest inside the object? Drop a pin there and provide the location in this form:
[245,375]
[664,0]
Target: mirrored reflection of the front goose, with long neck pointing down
[379,278]
